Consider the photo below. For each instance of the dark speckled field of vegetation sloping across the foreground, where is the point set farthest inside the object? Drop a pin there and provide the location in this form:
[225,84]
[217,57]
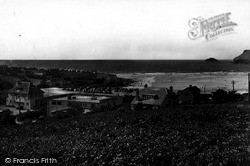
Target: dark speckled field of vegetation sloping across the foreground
[198,135]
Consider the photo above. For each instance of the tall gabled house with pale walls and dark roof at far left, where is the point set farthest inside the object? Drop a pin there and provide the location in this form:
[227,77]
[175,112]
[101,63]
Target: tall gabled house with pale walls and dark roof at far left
[24,95]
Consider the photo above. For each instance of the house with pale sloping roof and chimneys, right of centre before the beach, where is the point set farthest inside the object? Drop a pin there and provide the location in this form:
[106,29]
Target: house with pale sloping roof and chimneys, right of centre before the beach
[149,98]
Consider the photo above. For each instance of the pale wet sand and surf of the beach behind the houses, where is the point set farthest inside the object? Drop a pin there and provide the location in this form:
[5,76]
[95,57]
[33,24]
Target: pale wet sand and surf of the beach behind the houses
[207,81]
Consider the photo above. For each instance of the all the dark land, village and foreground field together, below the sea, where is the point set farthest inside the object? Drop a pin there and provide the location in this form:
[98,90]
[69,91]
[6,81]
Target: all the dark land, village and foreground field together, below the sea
[78,117]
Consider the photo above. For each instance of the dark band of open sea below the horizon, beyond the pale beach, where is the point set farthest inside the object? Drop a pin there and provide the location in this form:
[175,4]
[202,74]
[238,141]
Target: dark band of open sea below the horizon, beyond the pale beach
[134,66]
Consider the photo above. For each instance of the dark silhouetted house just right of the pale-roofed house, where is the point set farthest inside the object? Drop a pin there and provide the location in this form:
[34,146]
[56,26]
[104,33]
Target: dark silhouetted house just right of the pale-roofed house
[189,96]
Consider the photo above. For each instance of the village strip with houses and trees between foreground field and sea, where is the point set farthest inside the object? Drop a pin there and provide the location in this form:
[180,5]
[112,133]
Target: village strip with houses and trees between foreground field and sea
[28,97]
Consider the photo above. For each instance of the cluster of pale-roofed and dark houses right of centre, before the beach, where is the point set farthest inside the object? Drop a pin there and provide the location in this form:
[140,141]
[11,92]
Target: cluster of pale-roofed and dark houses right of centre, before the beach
[154,98]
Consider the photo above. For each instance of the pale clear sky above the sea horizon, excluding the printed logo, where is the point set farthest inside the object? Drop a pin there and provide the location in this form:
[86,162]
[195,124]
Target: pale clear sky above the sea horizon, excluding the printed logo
[118,29]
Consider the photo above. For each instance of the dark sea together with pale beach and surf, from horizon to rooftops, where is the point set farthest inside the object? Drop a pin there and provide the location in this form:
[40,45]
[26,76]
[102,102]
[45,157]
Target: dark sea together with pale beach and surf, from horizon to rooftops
[208,76]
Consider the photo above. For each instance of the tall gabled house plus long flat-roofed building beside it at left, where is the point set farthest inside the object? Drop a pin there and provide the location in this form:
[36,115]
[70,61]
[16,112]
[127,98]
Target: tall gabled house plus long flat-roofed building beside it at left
[26,96]
